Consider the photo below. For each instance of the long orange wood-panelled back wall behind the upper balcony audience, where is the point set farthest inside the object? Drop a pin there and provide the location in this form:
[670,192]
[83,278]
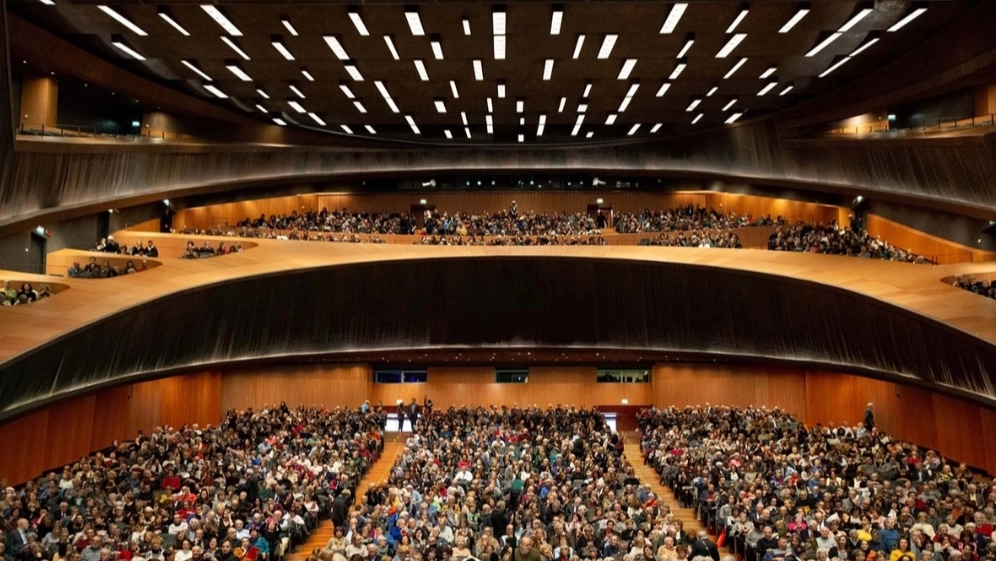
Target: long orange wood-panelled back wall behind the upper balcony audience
[231,213]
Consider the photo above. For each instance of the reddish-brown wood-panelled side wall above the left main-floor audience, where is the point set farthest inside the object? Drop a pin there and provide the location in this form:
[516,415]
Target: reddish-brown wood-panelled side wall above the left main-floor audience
[64,432]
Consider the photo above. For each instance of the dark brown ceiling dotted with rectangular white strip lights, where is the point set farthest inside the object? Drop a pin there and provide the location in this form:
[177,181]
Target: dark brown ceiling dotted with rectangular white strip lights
[530,44]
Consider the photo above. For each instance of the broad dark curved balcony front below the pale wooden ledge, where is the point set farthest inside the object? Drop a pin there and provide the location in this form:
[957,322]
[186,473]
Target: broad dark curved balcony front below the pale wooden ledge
[557,302]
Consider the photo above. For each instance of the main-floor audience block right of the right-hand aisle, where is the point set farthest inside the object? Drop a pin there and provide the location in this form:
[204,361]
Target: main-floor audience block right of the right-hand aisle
[781,491]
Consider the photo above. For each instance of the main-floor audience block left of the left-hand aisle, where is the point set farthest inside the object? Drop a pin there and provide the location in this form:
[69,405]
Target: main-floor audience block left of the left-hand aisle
[252,488]
